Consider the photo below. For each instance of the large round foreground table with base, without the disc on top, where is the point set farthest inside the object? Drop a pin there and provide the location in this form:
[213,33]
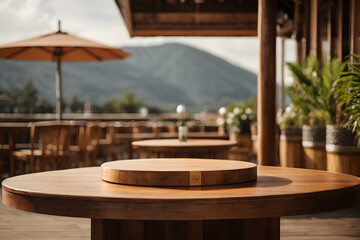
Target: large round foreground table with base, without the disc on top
[239,211]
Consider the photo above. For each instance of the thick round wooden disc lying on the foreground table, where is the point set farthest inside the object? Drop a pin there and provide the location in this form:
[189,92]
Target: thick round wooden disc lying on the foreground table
[178,172]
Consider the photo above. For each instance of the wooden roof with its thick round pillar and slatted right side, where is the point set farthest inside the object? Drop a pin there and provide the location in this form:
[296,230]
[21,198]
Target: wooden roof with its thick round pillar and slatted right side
[322,28]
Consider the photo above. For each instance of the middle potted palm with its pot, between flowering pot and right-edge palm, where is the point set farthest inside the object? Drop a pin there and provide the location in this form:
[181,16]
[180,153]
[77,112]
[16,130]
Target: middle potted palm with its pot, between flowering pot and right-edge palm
[313,93]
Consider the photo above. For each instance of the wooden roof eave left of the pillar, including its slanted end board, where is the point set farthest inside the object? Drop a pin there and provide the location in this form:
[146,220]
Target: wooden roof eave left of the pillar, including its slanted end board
[186,23]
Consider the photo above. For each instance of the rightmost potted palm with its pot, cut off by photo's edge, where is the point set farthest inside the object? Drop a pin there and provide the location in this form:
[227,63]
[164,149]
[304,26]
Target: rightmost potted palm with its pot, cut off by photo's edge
[343,155]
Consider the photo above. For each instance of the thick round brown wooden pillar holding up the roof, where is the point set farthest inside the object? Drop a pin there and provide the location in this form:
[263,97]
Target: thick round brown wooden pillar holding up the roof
[267,82]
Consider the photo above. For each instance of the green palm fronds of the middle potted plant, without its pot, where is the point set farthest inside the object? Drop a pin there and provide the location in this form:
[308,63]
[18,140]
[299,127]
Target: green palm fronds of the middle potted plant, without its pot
[312,91]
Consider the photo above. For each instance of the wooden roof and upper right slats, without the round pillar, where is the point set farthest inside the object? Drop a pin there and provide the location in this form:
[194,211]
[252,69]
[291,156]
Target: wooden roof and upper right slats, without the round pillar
[312,23]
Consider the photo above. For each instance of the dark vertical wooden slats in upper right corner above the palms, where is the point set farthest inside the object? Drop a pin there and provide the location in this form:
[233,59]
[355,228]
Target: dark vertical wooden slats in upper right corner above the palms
[326,28]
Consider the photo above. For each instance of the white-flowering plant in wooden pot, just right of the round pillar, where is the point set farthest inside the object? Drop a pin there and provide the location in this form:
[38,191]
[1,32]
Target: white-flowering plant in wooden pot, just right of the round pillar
[290,137]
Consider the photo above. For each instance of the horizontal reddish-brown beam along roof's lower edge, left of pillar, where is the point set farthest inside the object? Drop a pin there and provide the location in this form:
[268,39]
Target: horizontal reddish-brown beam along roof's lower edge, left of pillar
[190,24]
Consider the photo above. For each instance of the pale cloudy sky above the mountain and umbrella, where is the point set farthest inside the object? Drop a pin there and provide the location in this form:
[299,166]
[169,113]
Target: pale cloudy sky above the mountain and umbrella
[100,20]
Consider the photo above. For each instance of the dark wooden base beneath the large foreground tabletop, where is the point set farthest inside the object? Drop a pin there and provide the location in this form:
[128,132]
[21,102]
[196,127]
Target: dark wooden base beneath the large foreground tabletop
[231,229]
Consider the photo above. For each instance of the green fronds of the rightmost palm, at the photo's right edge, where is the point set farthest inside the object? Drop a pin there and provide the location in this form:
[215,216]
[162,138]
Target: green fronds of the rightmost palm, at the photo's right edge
[348,94]
